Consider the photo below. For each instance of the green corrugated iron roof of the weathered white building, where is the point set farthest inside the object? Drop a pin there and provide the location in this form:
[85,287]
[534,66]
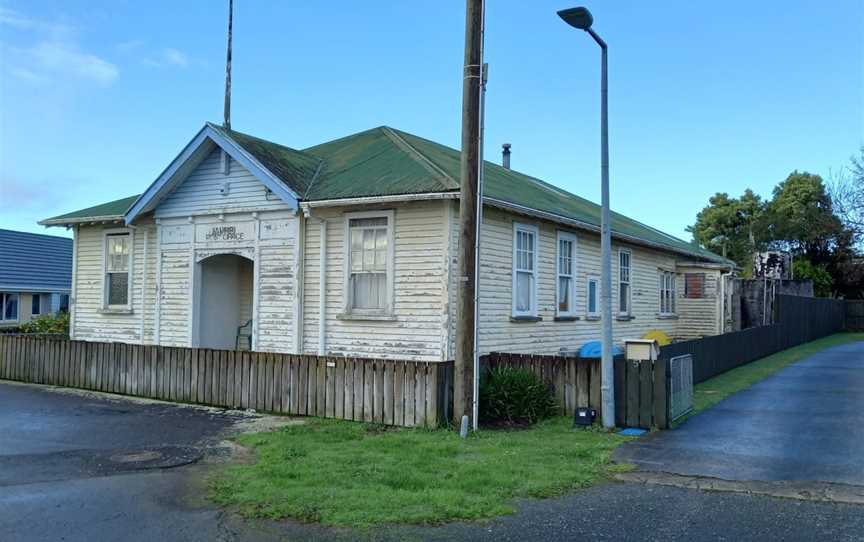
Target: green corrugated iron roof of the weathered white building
[384,161]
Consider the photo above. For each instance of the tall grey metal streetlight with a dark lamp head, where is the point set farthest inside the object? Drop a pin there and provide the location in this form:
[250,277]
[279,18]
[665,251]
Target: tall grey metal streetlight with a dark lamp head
[581,18]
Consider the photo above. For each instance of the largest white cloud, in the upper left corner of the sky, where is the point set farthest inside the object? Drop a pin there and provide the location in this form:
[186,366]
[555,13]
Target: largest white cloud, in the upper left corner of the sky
[55,53]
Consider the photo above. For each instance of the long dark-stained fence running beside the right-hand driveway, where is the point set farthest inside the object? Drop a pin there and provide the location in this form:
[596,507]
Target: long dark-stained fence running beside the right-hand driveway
[799,320]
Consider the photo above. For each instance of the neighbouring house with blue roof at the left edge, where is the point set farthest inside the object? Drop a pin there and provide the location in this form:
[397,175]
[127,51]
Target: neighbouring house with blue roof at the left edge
[35,276]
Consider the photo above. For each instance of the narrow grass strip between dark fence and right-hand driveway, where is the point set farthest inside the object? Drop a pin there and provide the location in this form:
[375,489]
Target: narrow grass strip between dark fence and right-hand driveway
[711,392]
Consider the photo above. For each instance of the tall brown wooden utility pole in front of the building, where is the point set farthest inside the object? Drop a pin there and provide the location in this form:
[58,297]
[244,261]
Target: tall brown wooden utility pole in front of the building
[463,382]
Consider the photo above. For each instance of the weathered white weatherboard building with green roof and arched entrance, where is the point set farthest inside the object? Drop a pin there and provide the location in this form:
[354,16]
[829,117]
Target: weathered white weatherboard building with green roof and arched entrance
[349,248]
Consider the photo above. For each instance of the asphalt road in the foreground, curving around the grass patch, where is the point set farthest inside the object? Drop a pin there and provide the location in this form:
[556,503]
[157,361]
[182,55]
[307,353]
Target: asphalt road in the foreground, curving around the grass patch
[71,469]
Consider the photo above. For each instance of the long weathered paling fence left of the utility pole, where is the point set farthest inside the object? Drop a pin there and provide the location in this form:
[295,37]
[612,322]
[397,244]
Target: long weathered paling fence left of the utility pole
[390,392]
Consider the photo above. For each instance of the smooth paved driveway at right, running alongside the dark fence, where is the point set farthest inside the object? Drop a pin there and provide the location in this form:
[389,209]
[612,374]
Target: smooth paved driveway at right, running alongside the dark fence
[804,423]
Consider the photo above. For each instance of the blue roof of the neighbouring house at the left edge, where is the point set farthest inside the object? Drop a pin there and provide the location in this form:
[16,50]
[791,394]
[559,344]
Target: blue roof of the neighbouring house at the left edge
[35,262]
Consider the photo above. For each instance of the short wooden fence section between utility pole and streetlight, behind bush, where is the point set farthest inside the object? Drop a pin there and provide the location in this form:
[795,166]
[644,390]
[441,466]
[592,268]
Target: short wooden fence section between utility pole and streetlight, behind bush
[575,382]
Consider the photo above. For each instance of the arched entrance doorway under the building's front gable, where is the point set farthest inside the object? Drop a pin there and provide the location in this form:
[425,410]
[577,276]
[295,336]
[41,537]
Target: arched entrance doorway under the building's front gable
[224,301]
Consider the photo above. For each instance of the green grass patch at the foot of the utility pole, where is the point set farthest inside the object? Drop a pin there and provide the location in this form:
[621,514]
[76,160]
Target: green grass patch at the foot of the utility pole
[352,474]
